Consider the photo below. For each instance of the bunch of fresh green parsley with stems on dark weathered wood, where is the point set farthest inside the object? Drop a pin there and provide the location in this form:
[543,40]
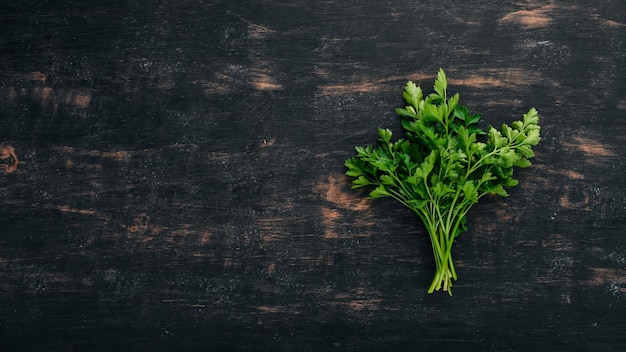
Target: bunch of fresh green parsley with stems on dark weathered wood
[444,165]
